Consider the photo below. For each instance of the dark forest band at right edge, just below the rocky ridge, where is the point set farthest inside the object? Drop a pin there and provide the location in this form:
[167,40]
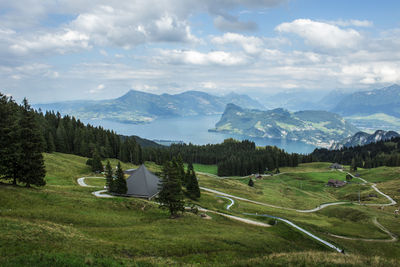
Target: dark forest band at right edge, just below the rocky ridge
[382,153]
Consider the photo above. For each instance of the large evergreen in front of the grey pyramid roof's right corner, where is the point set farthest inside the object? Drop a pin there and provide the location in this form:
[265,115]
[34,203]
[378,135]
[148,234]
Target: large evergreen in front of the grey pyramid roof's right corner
[171,195]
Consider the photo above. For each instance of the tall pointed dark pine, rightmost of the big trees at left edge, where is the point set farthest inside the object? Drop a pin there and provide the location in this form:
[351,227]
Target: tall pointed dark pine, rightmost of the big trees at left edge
[31,160]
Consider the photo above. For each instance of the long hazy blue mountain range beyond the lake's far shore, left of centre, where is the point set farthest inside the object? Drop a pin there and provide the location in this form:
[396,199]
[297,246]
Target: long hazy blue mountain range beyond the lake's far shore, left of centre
[141,107]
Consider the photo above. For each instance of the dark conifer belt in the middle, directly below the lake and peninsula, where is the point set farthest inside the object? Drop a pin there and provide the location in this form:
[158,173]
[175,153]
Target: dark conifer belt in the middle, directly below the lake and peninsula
[232,157]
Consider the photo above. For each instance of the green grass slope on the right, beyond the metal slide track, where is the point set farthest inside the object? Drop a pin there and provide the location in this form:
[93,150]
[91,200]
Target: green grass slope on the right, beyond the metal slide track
[303,187]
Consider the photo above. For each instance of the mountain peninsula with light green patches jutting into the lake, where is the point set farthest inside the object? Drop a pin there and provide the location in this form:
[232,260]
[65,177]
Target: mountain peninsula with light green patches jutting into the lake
[319,128]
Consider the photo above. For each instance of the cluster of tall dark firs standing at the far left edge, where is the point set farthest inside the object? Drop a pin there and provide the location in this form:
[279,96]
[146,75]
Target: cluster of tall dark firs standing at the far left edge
[21,144]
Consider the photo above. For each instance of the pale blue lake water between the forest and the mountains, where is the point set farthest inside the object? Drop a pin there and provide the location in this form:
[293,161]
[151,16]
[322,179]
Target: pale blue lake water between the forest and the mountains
[193,130]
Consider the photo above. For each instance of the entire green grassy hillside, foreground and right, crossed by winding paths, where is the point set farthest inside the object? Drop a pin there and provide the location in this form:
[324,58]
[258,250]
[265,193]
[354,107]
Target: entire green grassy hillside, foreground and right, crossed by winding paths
[63,224]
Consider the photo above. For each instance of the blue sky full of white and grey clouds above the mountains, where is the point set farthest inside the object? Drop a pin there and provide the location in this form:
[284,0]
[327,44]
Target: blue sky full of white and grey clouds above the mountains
[86,49]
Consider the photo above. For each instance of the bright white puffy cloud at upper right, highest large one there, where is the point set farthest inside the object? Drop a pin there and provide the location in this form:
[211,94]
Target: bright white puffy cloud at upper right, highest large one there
[322,35]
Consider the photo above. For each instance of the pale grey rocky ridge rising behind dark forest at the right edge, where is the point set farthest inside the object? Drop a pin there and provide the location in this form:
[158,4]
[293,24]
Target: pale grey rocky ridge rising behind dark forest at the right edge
[363,138]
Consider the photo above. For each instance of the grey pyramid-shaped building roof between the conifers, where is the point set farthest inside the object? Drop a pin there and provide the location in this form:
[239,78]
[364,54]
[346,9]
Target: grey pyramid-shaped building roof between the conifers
[142,183]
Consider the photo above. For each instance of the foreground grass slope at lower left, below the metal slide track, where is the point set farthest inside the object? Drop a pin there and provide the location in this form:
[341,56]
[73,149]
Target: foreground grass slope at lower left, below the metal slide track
[62,224]
